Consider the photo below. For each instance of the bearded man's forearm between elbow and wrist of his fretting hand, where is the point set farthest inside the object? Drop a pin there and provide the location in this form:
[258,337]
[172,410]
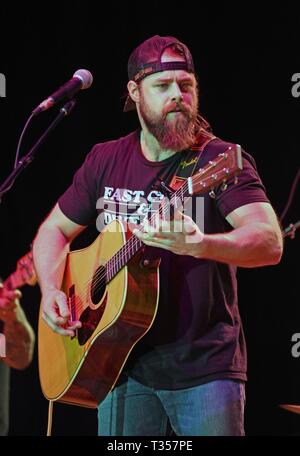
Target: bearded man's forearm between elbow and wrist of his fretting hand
[249,246]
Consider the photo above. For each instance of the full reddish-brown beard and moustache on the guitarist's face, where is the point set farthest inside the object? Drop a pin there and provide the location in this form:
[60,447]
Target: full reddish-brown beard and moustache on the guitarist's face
[176,134]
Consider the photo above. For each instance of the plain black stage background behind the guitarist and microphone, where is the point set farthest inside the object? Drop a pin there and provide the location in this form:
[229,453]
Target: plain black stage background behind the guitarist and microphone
[245,57]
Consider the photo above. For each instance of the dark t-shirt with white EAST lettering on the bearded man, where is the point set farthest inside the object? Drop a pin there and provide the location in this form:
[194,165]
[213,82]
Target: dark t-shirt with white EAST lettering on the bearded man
[197,334]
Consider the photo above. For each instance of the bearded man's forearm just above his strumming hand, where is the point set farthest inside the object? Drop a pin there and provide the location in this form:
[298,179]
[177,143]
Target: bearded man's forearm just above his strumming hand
[50,249]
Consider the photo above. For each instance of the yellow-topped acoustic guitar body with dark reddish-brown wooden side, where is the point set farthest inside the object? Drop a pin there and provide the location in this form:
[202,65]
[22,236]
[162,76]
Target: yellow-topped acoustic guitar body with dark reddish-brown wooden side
[83,369]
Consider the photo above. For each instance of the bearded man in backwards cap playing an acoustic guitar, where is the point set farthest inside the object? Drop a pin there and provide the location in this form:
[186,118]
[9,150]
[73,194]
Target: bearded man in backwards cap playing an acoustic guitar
[188,372]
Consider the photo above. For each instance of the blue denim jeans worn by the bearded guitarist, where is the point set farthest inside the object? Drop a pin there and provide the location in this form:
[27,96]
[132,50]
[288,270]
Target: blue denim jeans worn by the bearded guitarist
[214,408]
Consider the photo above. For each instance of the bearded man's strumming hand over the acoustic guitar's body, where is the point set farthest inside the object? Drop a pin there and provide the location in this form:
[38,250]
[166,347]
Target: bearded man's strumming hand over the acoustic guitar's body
[56,312]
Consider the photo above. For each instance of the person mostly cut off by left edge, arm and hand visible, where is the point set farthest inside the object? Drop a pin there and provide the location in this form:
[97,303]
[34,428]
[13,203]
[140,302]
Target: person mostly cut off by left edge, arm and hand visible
[17,344]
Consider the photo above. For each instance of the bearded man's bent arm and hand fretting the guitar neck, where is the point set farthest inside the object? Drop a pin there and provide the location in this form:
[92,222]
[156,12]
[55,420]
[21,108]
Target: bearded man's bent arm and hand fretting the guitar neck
[255,240]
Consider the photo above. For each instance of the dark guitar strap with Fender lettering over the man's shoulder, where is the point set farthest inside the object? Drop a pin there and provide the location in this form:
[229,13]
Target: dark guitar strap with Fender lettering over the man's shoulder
[189,160]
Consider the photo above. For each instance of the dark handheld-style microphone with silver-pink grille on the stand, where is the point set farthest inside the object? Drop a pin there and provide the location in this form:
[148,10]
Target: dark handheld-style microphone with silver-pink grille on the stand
[82,79]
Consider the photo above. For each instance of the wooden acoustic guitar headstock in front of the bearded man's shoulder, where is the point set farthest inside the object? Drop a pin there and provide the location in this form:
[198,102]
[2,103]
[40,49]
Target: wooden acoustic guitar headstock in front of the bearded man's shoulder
[216,172]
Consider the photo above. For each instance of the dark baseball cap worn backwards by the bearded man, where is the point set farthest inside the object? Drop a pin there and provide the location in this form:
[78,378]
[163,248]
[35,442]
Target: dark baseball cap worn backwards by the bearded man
[146,60]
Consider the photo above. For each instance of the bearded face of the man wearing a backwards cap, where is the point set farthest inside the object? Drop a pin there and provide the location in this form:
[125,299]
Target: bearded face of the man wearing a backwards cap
[169,108]
